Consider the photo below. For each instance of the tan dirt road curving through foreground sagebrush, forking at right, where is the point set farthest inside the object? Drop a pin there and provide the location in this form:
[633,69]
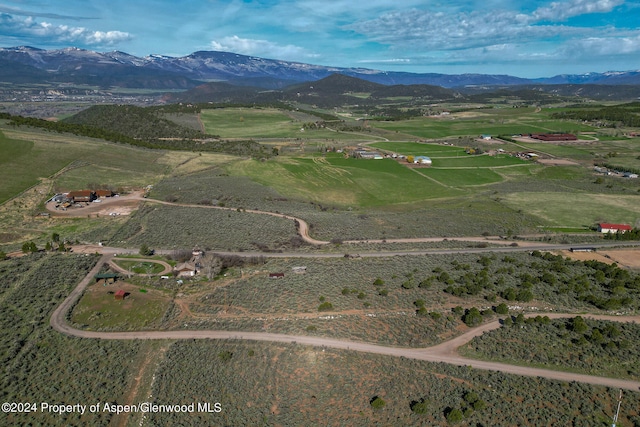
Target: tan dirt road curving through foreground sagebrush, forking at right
[445,352]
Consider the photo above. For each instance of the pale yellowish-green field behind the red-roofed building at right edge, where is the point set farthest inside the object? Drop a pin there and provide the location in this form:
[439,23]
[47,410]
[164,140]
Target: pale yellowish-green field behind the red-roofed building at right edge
[577,209]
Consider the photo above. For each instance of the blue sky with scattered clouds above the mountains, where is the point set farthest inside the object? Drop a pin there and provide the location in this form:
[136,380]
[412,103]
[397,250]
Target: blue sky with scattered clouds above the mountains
[530,39]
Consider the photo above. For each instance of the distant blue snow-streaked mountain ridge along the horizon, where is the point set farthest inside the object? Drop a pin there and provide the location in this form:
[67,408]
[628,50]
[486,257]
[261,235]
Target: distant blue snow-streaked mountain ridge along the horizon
[25,64]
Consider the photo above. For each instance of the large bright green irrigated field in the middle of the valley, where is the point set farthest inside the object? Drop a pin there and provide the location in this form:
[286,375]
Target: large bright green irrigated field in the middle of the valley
[346,182]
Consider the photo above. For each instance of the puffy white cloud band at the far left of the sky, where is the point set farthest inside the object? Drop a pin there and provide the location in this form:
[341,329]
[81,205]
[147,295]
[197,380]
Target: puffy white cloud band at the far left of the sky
[48,32]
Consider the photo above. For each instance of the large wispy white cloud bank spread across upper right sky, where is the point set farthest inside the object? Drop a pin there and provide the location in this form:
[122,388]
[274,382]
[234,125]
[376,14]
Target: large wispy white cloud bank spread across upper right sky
[417,29]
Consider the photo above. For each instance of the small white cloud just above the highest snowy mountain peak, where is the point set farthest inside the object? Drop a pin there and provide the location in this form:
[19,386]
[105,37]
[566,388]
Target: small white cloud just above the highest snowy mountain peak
[263,48]
